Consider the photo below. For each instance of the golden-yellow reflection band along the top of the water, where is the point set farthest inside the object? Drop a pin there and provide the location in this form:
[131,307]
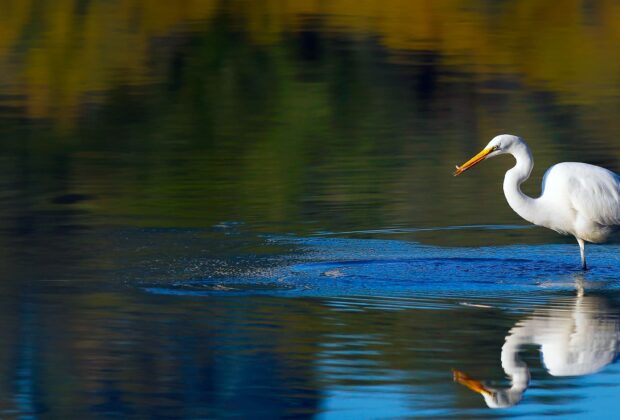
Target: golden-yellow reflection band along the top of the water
[58,55]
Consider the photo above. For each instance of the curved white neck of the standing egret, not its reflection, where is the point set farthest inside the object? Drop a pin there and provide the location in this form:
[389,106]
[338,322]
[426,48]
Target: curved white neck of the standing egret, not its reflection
[523,205]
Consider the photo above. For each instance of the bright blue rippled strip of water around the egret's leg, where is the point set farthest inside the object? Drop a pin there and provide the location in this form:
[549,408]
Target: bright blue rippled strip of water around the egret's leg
[331,266]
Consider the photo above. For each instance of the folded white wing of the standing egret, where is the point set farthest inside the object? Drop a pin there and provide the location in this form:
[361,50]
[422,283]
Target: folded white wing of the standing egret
[594,192]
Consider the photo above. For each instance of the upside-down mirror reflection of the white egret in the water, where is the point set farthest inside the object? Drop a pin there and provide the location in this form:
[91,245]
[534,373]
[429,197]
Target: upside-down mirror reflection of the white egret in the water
[577,336]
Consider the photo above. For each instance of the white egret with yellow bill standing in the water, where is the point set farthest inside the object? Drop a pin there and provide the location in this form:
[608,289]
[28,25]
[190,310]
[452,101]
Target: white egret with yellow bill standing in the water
[577,198]
